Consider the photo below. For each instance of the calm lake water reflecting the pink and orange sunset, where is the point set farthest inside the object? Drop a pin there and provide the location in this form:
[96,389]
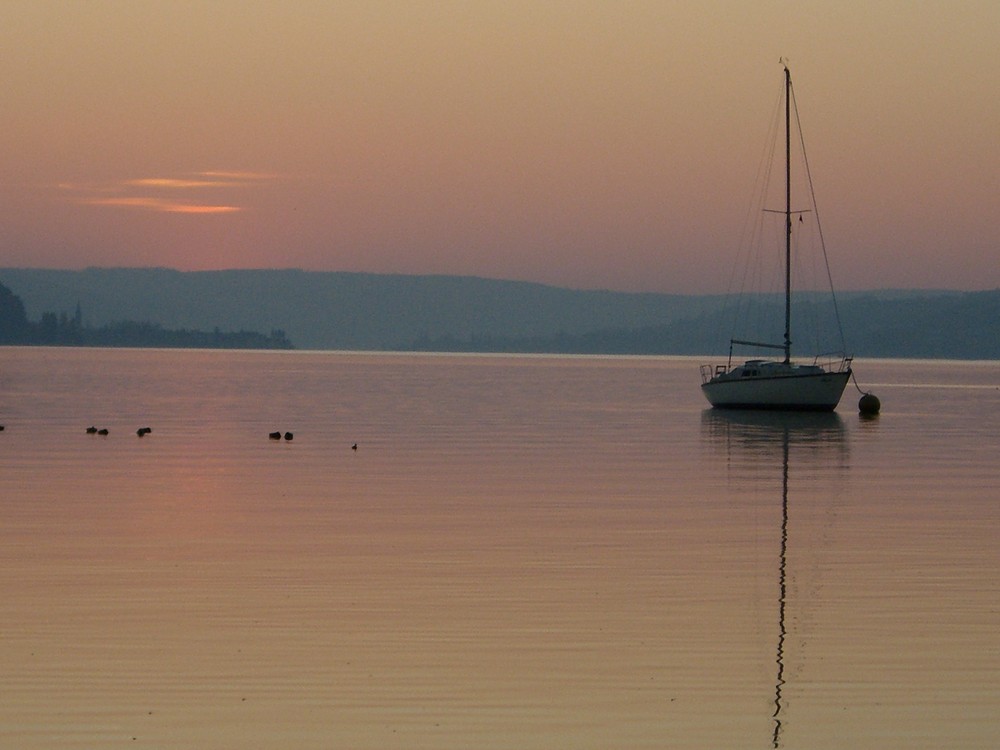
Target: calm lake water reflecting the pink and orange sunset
[523,552]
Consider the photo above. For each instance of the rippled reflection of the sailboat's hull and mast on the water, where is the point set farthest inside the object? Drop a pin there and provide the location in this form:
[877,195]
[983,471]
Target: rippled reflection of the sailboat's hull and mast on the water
[767,438]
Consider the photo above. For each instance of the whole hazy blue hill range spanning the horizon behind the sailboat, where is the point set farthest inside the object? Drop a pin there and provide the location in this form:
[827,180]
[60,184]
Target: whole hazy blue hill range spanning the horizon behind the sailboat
[354,311]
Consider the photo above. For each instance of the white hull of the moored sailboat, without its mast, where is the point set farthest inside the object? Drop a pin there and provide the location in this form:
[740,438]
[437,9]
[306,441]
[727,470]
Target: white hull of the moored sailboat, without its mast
[813,391]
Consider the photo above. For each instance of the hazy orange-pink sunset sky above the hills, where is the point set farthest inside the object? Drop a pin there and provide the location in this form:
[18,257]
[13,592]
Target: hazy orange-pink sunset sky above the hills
[583,144]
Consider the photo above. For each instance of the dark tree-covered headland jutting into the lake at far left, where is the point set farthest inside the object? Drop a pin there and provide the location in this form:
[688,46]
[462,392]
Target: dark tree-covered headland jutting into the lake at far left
[64,330]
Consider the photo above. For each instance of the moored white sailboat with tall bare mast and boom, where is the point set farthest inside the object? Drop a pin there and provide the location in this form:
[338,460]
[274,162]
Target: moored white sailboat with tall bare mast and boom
[779,384]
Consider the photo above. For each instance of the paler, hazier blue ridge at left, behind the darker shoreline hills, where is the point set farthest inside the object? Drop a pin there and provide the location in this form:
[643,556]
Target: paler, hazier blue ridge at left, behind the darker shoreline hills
[338,310]
